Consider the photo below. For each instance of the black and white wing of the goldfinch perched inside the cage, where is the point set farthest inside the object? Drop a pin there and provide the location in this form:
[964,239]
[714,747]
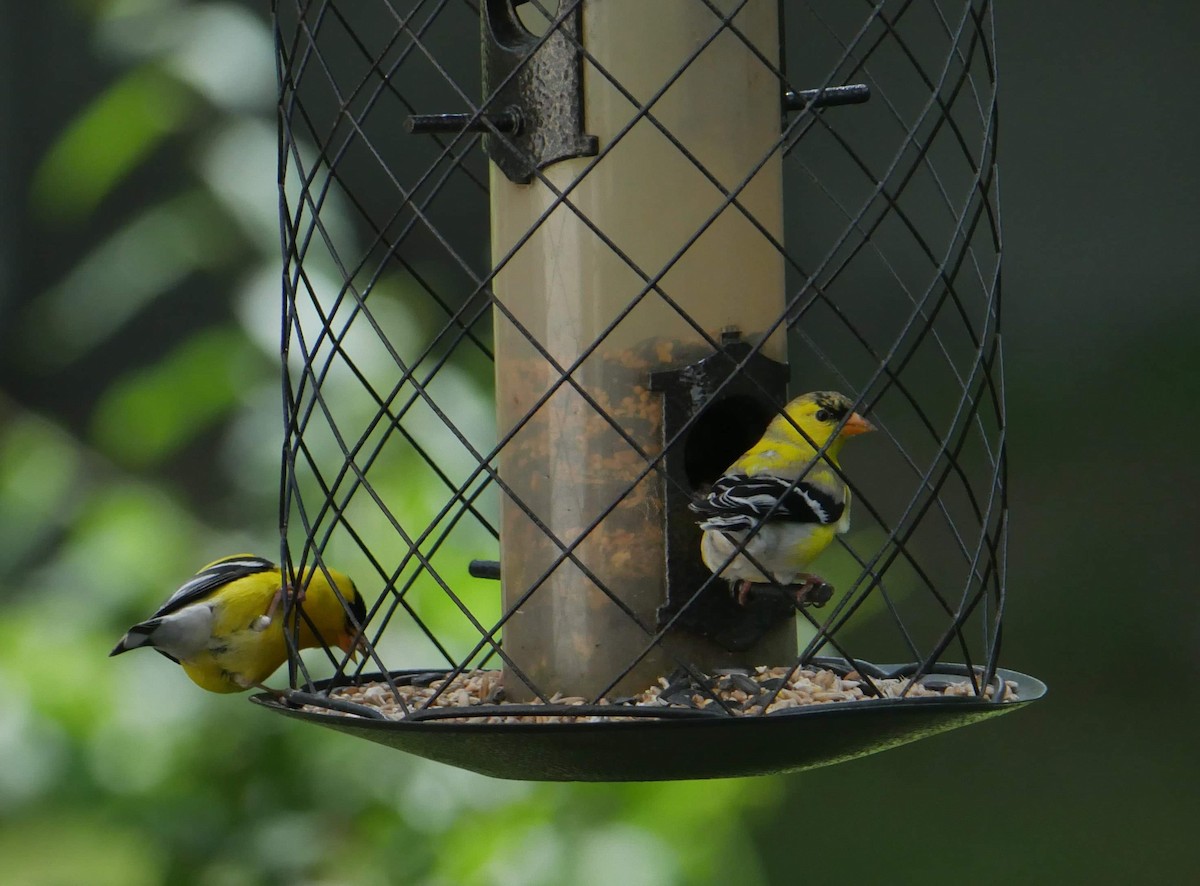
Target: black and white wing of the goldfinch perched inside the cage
[739,502]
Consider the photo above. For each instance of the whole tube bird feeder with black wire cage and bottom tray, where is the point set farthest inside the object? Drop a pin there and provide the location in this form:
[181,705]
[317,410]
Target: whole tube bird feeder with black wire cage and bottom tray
[550,268]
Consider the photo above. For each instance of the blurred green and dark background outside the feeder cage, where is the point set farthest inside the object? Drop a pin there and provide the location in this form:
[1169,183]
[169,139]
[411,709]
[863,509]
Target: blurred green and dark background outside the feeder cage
[122,771]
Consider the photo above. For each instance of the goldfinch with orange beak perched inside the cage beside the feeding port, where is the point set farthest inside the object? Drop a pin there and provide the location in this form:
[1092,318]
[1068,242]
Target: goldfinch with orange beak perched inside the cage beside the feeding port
[781,483]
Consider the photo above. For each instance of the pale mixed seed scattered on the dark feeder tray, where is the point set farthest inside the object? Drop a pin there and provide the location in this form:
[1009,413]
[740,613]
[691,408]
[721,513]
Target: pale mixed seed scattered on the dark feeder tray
[807,687]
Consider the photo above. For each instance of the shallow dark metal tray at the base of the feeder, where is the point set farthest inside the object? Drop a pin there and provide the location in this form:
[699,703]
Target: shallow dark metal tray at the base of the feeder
[644,744]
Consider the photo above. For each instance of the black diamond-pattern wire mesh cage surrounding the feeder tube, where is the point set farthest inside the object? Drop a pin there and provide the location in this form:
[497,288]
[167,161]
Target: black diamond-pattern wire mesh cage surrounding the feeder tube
[892,258]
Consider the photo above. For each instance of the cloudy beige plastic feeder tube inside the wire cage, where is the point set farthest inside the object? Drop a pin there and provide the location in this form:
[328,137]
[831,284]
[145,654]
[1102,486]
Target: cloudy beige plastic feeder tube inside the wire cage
[634,213]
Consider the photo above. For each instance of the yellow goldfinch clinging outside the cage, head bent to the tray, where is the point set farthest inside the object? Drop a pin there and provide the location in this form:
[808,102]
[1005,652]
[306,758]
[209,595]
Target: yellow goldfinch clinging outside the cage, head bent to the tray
[223,625]
